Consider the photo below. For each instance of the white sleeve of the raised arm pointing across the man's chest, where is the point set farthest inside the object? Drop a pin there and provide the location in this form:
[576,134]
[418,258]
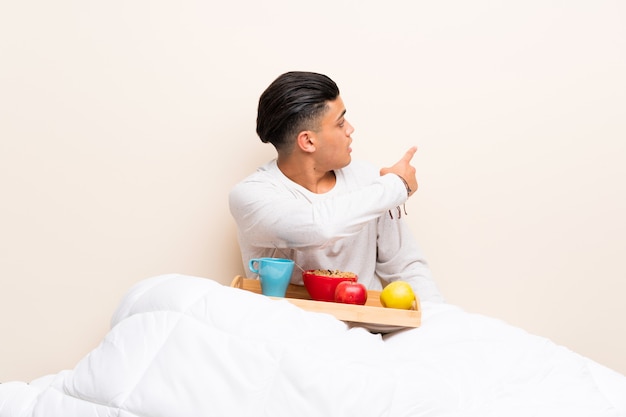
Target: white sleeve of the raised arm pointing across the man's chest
[270,213]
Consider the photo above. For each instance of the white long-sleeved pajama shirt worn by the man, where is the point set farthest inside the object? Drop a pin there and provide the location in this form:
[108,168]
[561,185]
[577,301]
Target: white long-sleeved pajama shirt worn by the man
[348,228]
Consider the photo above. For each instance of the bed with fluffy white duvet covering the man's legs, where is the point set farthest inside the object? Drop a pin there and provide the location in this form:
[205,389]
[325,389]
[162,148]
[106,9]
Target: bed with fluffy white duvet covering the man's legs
[189,346]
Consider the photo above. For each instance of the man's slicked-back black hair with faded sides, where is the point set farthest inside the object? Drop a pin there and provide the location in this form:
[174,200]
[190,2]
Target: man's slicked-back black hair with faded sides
[293,103]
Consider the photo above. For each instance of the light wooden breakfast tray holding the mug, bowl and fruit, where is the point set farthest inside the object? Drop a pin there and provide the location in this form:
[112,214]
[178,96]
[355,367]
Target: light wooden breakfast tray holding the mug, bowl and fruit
[372,315]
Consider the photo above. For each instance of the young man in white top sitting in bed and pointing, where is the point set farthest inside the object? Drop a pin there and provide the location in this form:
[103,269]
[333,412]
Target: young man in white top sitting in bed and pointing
[314,205]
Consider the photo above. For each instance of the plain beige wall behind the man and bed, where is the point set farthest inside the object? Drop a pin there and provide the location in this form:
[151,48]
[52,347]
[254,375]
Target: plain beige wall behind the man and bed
[123,124]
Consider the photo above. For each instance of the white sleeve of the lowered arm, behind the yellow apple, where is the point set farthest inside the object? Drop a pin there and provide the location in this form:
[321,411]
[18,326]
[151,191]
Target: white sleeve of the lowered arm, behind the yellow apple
[400,258]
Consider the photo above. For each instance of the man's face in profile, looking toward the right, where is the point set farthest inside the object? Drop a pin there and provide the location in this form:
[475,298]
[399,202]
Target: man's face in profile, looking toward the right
[332,145]
